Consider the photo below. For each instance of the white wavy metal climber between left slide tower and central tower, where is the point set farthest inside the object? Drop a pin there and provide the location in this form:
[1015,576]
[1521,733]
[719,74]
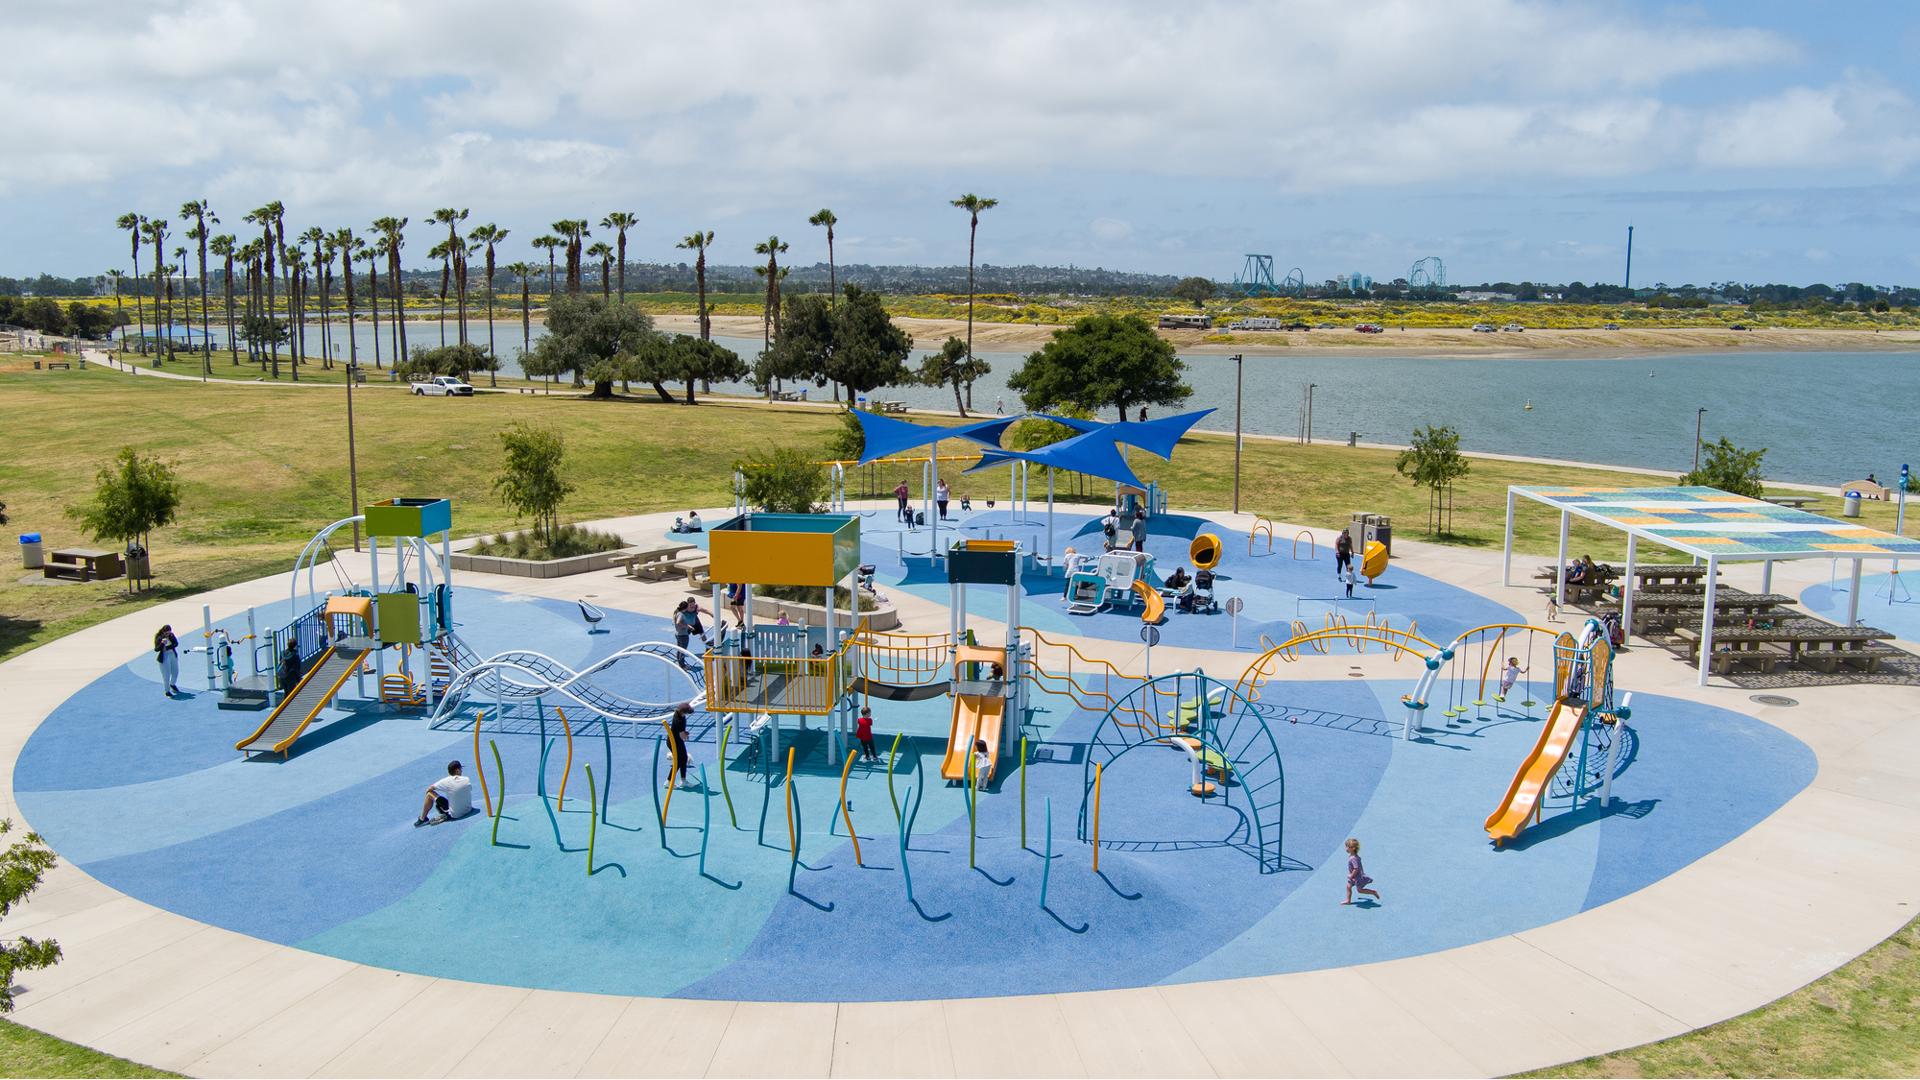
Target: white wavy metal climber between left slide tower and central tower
[544,675]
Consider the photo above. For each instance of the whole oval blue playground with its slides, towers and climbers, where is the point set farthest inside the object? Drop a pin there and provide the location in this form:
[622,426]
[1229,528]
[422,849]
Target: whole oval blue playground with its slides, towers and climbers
[1084,775]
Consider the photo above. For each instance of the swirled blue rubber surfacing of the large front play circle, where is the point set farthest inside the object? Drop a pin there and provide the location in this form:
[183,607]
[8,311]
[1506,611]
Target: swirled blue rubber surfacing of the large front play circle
[320,852]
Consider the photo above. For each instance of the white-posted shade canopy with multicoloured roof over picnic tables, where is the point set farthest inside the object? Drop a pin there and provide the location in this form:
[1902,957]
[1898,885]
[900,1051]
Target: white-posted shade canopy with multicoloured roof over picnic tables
[1721,629]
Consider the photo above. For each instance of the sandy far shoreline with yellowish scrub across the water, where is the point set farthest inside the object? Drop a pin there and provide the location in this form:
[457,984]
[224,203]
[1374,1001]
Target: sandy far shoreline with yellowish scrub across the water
[1439,343]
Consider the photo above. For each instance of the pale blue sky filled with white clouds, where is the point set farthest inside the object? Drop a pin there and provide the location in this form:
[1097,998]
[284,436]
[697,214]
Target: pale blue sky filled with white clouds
[1756,141]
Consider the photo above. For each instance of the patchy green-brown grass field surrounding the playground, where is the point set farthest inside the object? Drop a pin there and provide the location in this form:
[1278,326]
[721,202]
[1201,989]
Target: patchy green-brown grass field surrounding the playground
[264,470]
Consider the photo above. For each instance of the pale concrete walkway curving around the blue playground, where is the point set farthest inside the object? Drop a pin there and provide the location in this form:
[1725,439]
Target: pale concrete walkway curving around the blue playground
[1827,877]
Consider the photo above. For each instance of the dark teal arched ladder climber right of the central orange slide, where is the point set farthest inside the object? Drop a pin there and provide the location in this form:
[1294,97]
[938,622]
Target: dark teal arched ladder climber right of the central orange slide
[1224,737]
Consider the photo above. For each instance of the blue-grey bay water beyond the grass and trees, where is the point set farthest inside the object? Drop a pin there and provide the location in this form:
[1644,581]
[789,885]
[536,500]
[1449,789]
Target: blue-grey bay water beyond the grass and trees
[1825,418]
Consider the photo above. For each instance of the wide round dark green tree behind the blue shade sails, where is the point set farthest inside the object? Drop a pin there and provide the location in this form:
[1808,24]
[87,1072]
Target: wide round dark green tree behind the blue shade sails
[1103,362]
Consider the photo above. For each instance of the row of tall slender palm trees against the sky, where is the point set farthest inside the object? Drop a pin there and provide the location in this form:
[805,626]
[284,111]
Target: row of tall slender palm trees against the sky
[270,266]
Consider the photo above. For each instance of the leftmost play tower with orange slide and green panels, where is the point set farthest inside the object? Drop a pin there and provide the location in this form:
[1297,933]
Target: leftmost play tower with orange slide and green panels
[396,618]
